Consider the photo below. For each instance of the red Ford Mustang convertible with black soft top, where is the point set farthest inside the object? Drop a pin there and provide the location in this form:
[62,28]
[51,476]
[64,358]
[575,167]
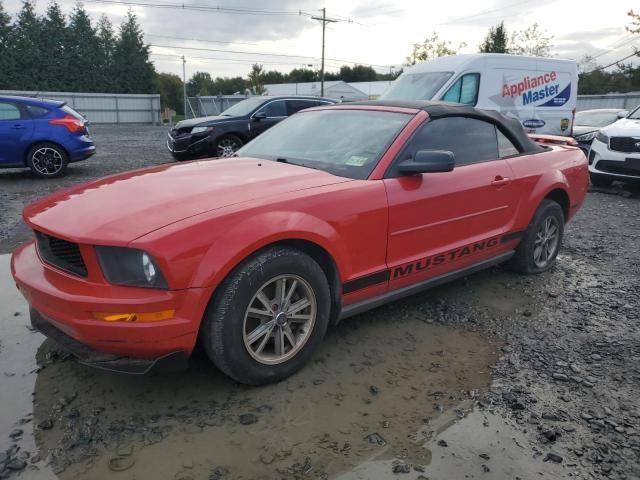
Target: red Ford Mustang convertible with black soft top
[334,211]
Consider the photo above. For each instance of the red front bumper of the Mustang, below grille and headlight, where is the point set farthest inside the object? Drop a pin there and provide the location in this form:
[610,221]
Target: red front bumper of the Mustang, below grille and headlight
[68,304]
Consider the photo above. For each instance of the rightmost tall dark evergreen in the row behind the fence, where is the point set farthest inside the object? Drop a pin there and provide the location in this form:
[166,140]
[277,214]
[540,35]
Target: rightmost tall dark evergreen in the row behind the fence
[133,71]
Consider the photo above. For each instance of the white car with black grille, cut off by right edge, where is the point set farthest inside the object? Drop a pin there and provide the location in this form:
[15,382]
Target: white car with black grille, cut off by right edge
[615,152]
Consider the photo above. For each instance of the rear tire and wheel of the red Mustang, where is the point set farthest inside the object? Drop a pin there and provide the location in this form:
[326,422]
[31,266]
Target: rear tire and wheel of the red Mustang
[541,242]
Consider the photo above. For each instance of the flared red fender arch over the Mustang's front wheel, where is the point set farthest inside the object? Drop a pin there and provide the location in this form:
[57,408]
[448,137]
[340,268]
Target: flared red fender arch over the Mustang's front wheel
[260,230]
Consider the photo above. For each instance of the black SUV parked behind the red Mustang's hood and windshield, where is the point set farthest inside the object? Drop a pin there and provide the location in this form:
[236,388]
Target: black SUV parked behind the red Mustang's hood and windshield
[222,135]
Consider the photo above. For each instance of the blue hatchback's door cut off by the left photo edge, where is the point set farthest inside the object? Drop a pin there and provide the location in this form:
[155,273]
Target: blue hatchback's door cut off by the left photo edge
[16,130]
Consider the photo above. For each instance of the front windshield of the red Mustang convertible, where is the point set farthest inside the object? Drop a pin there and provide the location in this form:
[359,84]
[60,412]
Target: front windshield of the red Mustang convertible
[348,143]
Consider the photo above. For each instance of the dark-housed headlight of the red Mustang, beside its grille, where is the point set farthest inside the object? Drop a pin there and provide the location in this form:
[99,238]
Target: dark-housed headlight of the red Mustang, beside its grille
[129,266]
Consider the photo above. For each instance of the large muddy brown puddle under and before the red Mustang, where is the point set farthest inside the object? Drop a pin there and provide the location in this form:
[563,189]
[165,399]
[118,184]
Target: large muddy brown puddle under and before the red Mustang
[386,373]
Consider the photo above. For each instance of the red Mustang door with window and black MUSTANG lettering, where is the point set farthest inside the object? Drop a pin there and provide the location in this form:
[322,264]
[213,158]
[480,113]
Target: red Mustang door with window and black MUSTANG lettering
[442,222]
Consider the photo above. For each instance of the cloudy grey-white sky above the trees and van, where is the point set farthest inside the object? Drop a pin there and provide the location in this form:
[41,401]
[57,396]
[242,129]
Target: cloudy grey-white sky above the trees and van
[281,35]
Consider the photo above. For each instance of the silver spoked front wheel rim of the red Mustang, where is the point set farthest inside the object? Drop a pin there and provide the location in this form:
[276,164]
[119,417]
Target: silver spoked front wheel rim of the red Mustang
[279,319]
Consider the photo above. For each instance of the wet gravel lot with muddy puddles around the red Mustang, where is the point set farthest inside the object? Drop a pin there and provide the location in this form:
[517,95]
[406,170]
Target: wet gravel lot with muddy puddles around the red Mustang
[494,376]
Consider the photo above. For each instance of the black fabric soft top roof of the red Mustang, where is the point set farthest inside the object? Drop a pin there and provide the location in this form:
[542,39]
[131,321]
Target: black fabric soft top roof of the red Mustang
[508,126]
